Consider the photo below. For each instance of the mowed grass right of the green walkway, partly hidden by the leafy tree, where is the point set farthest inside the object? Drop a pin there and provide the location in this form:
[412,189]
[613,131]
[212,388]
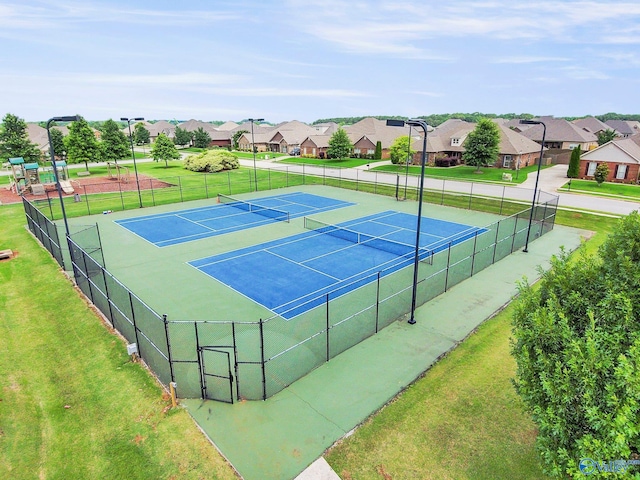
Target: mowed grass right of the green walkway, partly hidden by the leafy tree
[462,419]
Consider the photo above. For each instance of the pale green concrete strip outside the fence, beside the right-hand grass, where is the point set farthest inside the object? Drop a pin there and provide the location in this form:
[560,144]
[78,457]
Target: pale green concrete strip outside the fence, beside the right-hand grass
[280,437]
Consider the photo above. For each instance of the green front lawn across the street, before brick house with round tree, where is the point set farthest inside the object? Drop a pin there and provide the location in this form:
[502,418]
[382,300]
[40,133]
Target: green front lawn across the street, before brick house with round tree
[464,172]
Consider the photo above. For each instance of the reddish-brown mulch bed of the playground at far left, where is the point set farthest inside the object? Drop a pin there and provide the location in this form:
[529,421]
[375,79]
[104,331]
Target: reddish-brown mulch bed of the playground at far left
[89,185]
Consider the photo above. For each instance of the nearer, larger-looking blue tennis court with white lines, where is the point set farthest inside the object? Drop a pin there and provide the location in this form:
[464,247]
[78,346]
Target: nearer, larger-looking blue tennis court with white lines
[294,274]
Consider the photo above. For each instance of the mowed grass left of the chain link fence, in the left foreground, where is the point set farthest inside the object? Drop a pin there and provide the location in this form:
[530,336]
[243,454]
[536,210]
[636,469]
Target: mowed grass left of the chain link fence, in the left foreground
[72,404]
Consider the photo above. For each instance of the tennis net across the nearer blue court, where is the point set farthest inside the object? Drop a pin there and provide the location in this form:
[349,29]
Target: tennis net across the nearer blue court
[397,248]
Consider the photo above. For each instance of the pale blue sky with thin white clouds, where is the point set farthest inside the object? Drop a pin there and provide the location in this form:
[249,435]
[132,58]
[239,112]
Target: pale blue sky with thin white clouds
[311,59]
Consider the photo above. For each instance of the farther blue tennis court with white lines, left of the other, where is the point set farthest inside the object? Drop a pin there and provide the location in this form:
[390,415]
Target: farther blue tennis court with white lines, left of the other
[186,225]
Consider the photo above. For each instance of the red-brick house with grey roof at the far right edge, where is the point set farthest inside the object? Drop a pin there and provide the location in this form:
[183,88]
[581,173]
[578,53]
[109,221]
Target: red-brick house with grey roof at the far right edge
[621,155]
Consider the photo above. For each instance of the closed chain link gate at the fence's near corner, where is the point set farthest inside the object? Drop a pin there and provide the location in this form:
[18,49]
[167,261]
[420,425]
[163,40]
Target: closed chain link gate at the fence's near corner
[215,374]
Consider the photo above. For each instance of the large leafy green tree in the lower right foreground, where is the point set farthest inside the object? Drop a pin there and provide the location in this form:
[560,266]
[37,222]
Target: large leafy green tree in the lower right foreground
[577,350]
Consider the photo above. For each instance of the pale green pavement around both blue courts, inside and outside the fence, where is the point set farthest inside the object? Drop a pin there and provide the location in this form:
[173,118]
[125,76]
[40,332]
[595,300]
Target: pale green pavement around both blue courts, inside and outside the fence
[279,437]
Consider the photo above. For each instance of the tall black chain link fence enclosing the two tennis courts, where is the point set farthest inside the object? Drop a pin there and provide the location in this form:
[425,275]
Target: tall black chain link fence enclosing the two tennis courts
[232,360]
